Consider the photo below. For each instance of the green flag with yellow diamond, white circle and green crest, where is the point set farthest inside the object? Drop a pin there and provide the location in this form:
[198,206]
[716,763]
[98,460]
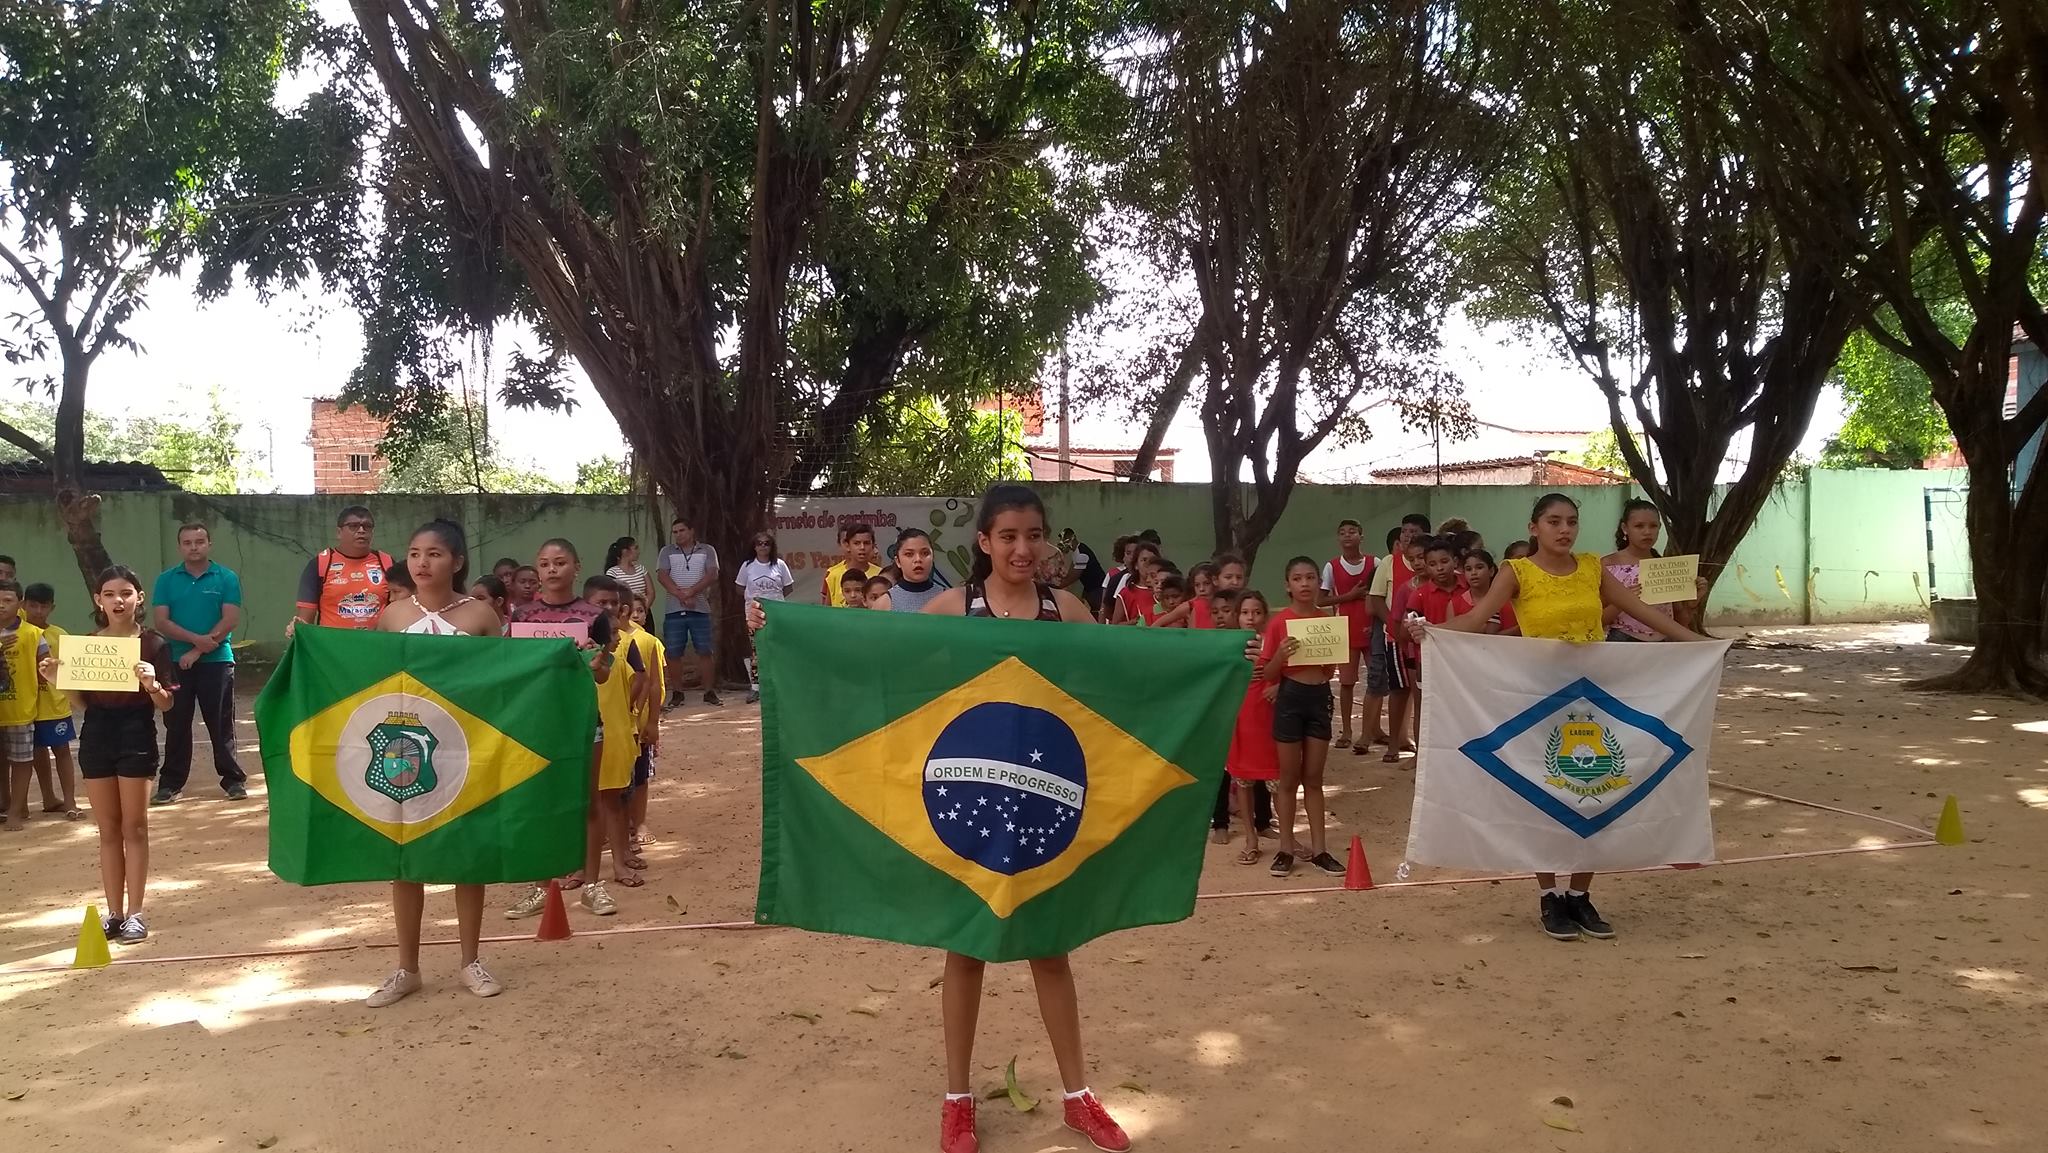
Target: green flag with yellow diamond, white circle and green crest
[450,761]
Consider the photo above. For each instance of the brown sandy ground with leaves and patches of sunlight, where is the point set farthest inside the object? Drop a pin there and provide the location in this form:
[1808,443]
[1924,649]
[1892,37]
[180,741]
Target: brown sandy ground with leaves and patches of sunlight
[1877,1002]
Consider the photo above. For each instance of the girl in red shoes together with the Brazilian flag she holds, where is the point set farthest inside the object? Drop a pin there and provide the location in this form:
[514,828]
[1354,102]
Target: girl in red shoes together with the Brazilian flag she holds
[1048,783]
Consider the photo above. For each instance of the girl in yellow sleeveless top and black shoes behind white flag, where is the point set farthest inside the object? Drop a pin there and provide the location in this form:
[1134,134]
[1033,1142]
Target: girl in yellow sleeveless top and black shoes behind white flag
[1560,595]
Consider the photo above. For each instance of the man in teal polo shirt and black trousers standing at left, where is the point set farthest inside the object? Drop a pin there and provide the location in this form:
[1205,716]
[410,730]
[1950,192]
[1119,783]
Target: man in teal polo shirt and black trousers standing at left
[198,609]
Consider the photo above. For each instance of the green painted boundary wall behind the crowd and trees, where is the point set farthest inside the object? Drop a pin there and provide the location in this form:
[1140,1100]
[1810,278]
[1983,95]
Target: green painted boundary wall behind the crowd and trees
[1850,546]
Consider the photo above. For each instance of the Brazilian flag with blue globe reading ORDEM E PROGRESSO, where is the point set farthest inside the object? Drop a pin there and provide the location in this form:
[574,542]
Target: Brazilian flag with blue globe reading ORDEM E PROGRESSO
[1002,789]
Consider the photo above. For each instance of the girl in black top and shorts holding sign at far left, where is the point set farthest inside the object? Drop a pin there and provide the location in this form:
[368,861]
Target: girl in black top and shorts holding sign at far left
[118,753]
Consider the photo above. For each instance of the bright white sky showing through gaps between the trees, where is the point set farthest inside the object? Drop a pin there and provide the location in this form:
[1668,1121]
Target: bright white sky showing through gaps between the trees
[271,359]
